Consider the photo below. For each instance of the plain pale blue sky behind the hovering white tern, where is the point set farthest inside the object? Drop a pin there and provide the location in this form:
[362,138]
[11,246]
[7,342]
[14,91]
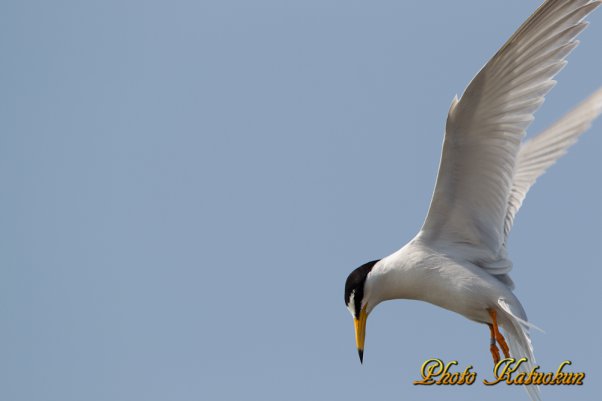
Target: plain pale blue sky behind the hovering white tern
[185,186]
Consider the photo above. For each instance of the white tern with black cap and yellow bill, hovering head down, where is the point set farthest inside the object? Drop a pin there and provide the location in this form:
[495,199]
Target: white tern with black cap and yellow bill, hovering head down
[458,260]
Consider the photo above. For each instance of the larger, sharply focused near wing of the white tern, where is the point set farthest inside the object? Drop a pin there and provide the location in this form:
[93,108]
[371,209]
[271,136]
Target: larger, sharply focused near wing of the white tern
[484,130]
